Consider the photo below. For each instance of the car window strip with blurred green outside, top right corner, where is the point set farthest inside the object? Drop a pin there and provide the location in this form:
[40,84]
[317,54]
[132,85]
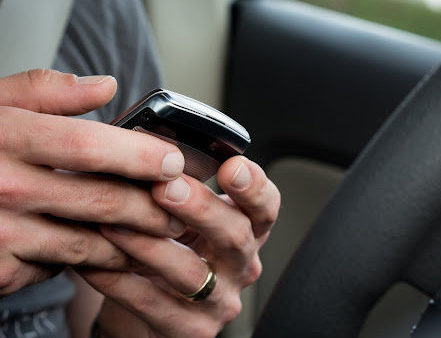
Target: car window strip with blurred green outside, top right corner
[422,17]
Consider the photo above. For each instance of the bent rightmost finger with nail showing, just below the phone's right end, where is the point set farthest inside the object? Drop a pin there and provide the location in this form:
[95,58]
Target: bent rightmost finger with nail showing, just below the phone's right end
[248,186]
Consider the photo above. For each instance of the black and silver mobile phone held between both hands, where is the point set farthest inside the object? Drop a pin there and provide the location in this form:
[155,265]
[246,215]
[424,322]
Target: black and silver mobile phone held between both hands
[205,136]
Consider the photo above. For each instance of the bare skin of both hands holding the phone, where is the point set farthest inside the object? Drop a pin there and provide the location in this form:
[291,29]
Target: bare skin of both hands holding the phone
[114,233]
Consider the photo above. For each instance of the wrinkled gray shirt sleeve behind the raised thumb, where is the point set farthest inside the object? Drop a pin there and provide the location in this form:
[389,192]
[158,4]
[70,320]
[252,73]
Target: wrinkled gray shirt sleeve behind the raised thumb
[112,37]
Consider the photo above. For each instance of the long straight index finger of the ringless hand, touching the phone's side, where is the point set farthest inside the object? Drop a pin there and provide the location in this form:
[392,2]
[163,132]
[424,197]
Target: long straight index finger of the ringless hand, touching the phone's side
[80,145]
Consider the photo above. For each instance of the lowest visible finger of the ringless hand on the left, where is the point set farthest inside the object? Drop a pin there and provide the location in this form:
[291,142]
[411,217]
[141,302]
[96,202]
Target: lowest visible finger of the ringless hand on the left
[43,240]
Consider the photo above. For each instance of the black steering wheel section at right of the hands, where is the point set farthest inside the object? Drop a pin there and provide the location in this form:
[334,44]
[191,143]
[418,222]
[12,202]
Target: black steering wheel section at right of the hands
[381,227]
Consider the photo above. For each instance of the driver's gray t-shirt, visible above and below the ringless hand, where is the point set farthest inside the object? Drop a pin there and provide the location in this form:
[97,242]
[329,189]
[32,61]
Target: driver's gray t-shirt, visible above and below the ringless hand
[103,37]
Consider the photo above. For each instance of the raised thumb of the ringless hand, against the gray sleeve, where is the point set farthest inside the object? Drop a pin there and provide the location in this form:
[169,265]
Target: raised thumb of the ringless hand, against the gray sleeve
[52,92]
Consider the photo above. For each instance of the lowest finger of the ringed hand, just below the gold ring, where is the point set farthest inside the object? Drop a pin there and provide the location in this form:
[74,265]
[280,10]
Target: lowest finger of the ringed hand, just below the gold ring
[165,315]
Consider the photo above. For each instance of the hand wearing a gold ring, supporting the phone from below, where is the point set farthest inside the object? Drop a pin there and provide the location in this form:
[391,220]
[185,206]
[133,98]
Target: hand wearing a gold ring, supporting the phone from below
[227,230]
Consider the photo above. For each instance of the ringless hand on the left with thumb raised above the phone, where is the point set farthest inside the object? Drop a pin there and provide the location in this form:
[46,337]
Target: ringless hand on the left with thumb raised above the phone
[48,192]
